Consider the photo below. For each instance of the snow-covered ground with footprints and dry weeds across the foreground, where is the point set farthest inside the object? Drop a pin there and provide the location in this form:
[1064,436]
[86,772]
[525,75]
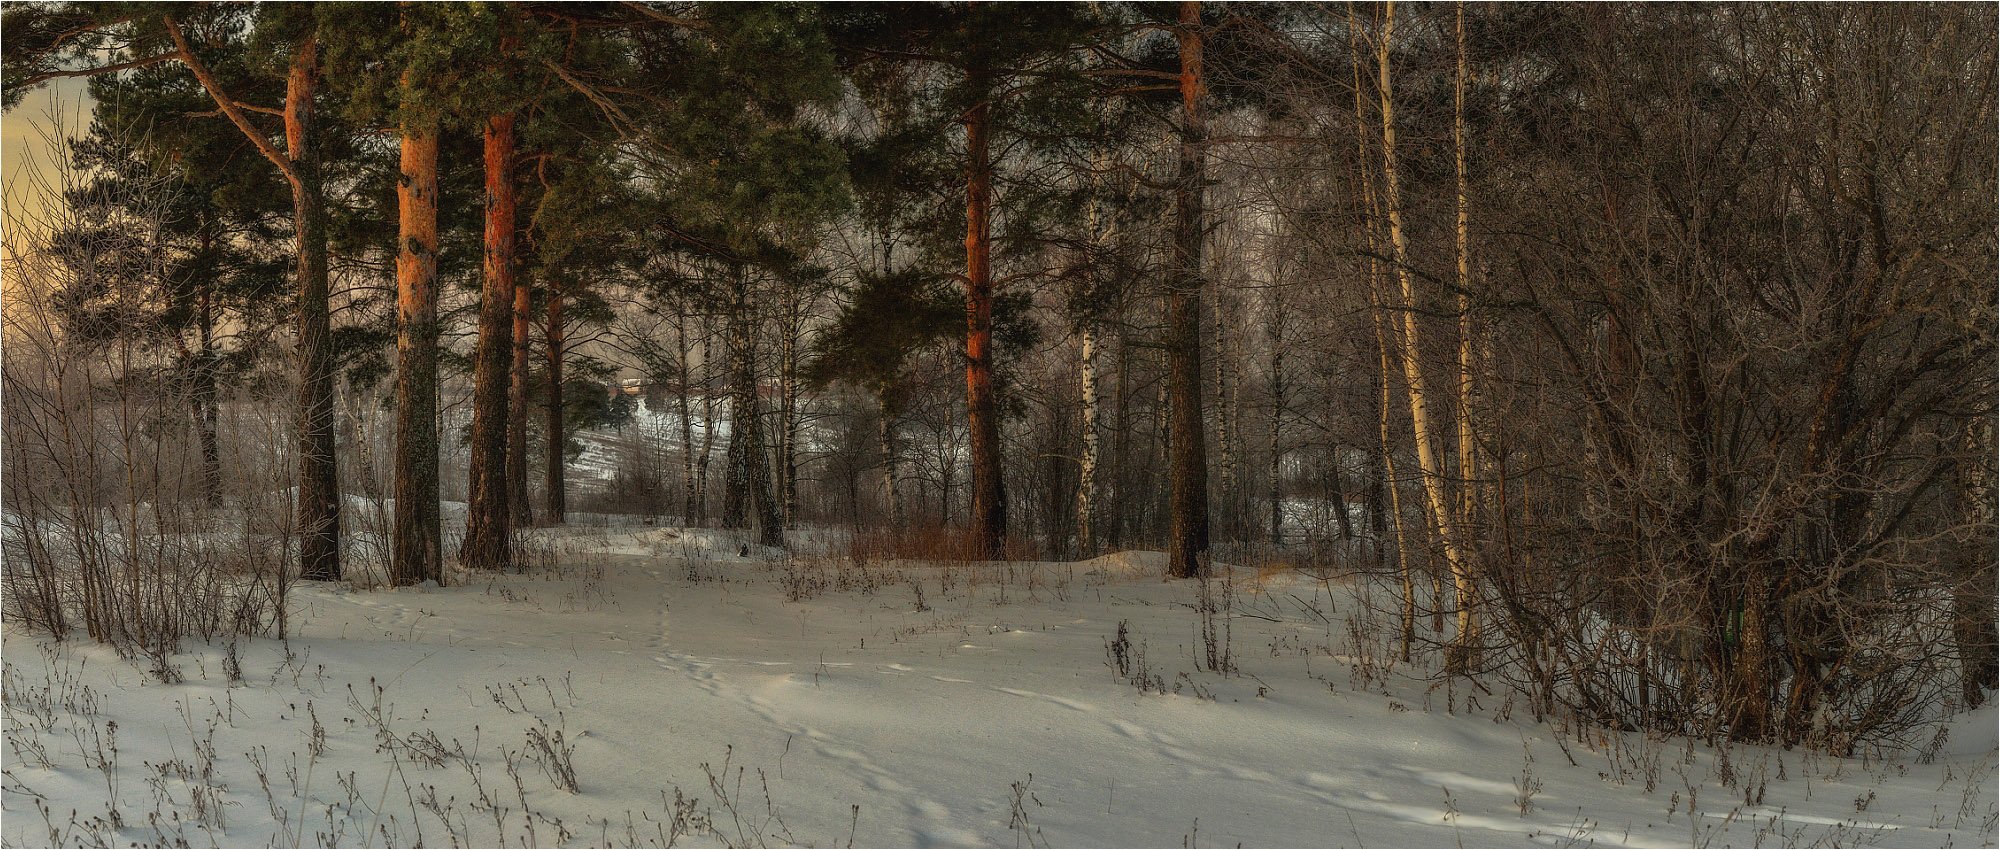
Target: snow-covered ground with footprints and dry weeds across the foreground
[655,687]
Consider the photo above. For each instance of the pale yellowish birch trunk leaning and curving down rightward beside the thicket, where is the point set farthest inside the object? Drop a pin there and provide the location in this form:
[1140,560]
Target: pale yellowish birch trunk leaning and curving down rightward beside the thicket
[1425,433]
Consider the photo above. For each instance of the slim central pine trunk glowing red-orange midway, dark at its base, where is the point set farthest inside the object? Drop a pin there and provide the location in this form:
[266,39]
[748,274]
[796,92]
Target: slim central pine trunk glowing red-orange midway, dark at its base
[983,411]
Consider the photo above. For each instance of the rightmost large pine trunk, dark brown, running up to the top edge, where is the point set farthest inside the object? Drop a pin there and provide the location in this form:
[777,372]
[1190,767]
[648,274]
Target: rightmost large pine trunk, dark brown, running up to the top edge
[1187,549]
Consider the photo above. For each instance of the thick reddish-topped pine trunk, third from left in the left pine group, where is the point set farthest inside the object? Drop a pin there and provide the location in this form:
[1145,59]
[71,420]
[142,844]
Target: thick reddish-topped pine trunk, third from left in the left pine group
[489,511]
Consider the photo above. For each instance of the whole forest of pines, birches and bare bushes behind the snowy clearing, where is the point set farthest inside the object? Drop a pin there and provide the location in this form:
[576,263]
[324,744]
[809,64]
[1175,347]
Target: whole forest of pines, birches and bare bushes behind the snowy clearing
[1643,353]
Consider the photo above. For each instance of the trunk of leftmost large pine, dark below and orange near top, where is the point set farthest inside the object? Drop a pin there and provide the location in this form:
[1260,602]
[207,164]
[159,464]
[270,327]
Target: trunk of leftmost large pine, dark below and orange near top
[319,473]
